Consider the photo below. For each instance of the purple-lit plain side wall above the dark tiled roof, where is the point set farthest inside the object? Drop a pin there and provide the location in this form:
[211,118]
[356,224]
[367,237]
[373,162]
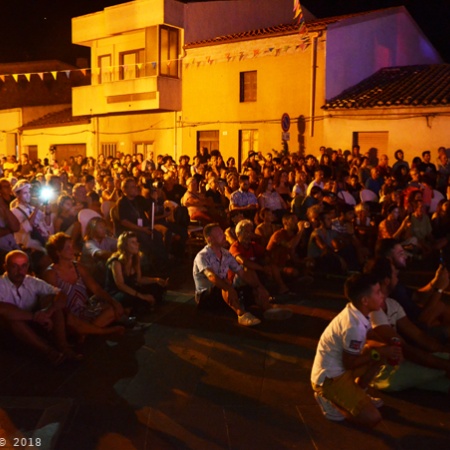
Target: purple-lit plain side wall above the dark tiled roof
[358,47]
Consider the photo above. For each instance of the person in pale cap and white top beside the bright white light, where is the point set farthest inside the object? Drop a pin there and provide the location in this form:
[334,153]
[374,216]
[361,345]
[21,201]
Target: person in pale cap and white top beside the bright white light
[35,222]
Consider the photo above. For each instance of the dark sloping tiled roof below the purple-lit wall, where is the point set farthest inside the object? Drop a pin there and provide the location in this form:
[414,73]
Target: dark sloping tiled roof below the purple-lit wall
[424,85]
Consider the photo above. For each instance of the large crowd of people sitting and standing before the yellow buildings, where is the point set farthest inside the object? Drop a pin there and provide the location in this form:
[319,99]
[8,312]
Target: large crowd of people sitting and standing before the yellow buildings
[96,238]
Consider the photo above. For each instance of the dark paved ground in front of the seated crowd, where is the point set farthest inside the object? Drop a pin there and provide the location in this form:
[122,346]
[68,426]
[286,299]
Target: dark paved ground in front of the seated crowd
[197,380]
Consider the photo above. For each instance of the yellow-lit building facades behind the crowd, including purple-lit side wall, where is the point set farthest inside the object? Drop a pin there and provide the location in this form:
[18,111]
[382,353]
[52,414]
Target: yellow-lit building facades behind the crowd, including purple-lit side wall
[174,77]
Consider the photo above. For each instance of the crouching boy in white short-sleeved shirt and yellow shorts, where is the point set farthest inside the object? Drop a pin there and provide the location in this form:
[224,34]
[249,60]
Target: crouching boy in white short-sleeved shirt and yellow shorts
[345,363]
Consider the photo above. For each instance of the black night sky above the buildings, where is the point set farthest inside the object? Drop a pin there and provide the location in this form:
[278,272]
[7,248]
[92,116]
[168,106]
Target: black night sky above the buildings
[40,29]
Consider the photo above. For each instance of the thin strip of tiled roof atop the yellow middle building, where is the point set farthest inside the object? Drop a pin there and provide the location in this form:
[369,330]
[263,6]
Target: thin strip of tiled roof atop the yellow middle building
[278,30]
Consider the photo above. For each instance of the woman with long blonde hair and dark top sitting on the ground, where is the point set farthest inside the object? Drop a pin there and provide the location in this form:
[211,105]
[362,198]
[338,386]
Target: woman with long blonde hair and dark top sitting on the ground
[124,279]
